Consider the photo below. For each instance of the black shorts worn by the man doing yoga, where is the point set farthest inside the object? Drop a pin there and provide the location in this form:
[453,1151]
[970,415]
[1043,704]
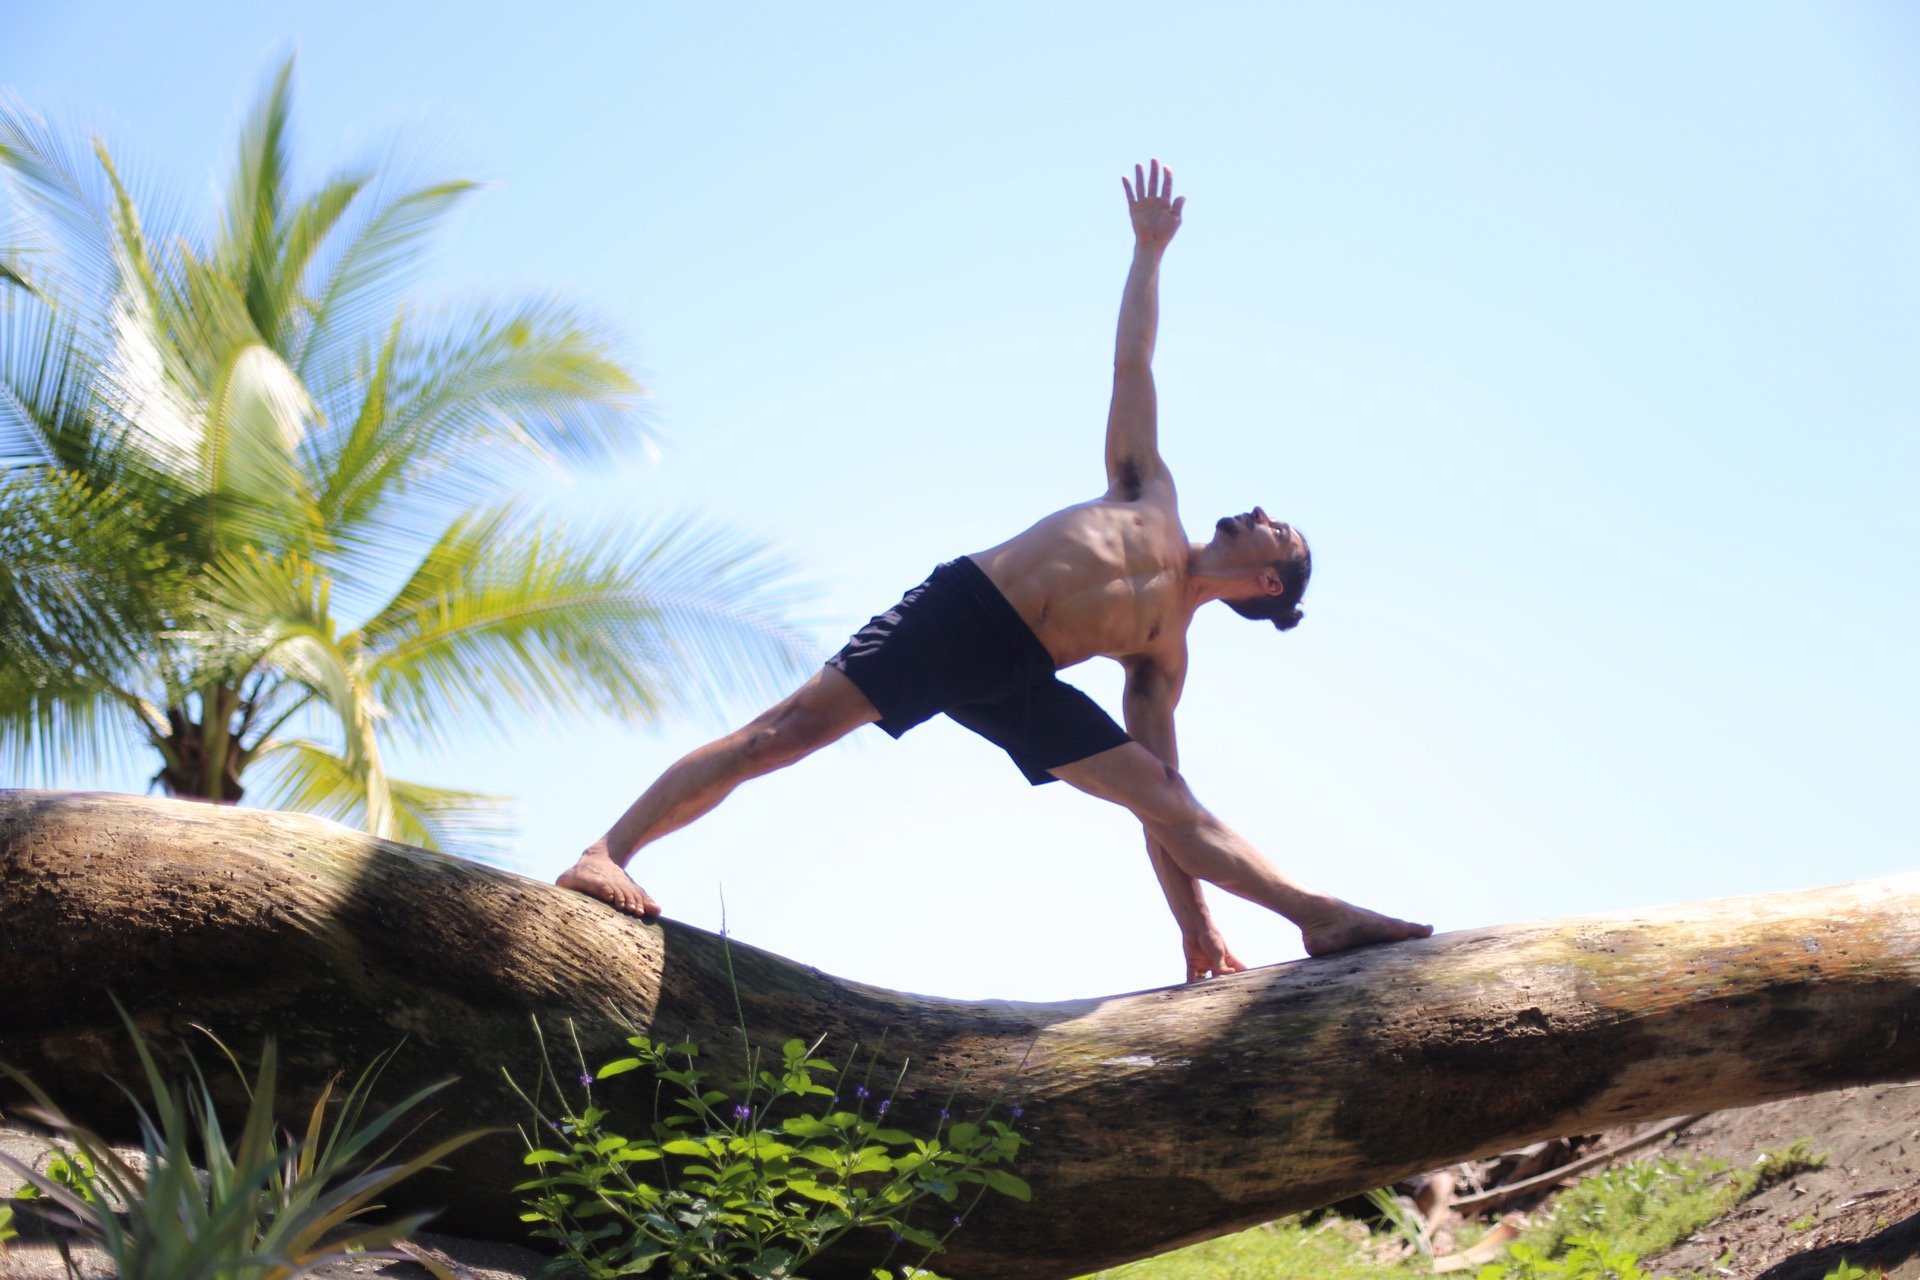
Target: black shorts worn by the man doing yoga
[955,646]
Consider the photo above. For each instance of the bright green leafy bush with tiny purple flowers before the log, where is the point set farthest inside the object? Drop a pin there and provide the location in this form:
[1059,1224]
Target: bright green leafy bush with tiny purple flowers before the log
[752,1179]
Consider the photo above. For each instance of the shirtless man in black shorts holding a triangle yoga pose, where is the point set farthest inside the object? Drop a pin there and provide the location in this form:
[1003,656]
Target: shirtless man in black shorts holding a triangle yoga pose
[984,638]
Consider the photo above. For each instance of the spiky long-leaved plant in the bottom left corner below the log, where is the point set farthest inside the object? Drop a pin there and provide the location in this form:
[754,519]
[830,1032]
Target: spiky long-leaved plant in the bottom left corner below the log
[268,1206]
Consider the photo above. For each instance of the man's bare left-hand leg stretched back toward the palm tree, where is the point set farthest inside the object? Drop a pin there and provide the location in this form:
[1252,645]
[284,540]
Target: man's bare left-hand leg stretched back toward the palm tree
[823,711]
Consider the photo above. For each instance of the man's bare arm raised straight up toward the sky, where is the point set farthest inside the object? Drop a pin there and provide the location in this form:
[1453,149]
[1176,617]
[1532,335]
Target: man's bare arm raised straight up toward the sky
[1132,423]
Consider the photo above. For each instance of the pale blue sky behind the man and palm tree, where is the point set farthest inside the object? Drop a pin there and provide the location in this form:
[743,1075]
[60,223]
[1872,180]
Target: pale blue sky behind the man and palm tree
[1583,341]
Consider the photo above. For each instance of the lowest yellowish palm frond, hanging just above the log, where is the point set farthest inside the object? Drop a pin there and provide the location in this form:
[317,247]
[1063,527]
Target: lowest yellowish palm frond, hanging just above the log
[306,776]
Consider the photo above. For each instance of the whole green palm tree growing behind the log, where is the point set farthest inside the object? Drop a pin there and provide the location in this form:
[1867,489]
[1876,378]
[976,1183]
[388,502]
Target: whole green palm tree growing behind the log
[258,510]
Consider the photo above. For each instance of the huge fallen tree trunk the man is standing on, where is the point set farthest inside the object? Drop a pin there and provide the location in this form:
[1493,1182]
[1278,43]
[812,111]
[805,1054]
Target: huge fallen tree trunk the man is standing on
[1157,1118]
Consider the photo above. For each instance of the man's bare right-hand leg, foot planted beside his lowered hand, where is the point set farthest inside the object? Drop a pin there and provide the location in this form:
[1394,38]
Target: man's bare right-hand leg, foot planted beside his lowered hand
[1209,849]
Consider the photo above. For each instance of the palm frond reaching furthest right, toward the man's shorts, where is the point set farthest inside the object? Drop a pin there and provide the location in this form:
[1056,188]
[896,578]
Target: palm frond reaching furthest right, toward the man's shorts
[519,617]
